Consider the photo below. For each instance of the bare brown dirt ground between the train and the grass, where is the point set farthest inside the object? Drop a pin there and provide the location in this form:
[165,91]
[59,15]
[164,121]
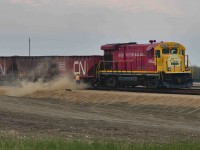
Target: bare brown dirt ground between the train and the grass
[104,115]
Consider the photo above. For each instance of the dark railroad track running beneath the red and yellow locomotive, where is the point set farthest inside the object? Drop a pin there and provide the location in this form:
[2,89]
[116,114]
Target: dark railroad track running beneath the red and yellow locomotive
[145,90]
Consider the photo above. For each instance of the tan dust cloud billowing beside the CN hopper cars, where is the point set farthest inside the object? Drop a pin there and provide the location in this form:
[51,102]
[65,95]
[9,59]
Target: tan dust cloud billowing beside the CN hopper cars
[27,87]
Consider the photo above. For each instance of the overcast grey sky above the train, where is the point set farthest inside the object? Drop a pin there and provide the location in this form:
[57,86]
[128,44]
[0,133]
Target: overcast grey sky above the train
[80,27]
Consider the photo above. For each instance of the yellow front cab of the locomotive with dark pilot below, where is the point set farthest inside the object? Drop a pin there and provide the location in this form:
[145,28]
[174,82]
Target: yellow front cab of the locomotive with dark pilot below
[173,65]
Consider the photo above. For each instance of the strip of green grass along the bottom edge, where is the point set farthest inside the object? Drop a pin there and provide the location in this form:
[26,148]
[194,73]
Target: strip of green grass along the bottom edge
[7,143]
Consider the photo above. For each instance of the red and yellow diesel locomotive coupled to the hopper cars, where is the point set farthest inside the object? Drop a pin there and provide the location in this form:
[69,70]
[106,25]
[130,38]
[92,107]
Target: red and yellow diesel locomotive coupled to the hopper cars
[154,65]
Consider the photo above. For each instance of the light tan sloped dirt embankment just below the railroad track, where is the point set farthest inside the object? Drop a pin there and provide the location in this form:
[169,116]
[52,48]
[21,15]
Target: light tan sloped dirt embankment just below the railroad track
[109,97]
